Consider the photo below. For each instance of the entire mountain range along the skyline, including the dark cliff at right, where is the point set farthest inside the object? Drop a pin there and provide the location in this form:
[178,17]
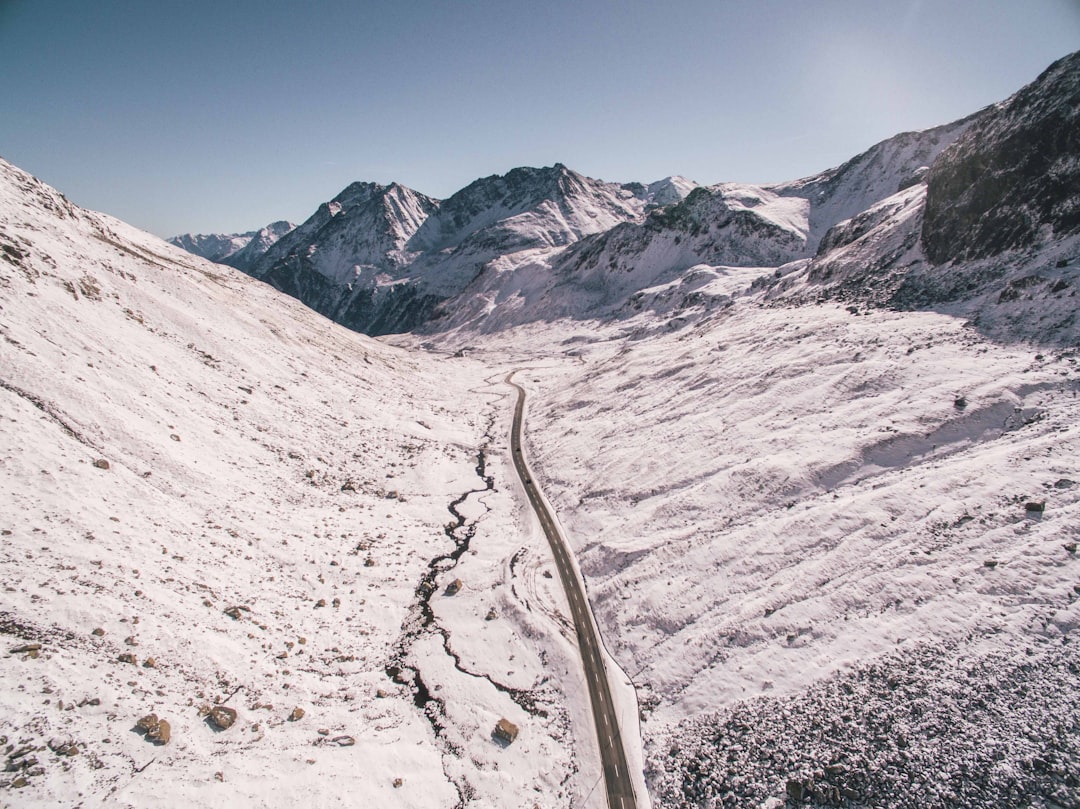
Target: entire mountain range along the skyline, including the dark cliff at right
[550,242]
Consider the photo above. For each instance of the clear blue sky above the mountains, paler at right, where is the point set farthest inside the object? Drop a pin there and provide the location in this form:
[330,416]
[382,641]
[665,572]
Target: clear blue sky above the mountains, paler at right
[197,116]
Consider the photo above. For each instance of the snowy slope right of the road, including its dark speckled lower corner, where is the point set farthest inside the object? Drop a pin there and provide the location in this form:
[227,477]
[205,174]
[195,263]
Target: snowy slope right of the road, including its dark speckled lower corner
[787,515]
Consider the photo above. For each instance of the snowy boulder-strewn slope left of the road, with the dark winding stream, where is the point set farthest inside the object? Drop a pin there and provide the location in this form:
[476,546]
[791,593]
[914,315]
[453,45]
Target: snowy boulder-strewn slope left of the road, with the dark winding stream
[264,510]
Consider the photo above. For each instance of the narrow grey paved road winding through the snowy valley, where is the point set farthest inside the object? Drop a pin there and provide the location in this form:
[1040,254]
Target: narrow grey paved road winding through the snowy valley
[620,788]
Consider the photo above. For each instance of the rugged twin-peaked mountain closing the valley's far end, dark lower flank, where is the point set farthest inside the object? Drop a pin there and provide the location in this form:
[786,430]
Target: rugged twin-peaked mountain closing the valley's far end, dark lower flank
[381,259]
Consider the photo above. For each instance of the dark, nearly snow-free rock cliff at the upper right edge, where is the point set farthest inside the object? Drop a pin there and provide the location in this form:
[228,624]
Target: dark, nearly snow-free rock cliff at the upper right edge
[1015,172]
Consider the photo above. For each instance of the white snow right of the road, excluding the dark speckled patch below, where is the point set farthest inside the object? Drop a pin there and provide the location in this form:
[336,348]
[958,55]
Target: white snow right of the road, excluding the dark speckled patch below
[775,497]
